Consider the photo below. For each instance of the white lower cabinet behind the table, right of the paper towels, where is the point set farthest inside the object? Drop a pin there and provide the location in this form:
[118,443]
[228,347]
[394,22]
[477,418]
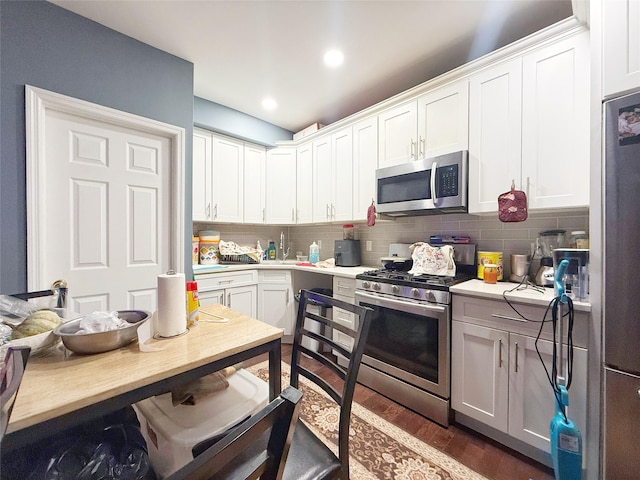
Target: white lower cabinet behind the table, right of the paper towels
[236,290]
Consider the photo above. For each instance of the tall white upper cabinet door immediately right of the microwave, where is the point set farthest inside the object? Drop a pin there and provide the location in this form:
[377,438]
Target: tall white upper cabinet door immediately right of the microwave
[495,116]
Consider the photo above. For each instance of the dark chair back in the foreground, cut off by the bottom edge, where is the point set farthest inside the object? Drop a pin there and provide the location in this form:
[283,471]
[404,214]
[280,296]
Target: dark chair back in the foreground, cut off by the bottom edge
[257,448]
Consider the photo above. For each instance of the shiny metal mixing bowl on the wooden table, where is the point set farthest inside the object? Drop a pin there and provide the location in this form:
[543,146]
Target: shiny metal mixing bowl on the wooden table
[99,342]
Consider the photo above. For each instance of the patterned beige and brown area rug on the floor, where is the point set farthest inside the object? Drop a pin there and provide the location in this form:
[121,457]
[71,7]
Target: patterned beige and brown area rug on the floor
[379,449]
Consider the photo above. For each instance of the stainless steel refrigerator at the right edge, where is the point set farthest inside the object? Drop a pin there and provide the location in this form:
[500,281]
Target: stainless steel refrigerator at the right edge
[622,289]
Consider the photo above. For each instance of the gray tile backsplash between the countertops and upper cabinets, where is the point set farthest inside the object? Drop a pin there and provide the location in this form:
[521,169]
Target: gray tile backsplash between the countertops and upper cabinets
[486,231]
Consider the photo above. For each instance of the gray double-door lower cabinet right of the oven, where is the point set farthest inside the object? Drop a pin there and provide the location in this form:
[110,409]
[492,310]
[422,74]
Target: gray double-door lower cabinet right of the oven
[497,378]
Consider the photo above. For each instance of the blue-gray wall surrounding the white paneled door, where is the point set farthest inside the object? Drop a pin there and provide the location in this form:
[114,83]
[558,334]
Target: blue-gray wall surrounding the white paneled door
[46,46]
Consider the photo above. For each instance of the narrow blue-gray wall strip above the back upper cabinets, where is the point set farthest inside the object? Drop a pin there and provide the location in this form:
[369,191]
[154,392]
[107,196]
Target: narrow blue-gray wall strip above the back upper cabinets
[221,119]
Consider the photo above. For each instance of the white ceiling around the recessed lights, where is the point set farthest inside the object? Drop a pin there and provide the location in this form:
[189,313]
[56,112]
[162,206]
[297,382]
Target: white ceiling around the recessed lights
[243,51]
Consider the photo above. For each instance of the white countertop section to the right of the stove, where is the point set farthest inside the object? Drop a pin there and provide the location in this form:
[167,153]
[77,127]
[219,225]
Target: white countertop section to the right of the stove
[530,295]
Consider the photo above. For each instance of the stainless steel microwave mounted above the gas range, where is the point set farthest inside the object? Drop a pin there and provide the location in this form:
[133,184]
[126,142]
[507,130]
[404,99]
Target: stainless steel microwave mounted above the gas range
[423,187]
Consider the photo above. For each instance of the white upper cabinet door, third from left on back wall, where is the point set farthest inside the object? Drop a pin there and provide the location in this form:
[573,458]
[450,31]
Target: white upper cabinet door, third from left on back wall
[254,184]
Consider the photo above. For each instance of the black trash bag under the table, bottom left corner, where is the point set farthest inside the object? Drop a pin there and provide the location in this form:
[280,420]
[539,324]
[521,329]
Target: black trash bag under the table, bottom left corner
[108,448]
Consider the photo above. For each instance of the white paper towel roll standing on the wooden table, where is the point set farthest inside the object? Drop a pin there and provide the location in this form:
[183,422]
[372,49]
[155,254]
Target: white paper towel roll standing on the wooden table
[172,312]
